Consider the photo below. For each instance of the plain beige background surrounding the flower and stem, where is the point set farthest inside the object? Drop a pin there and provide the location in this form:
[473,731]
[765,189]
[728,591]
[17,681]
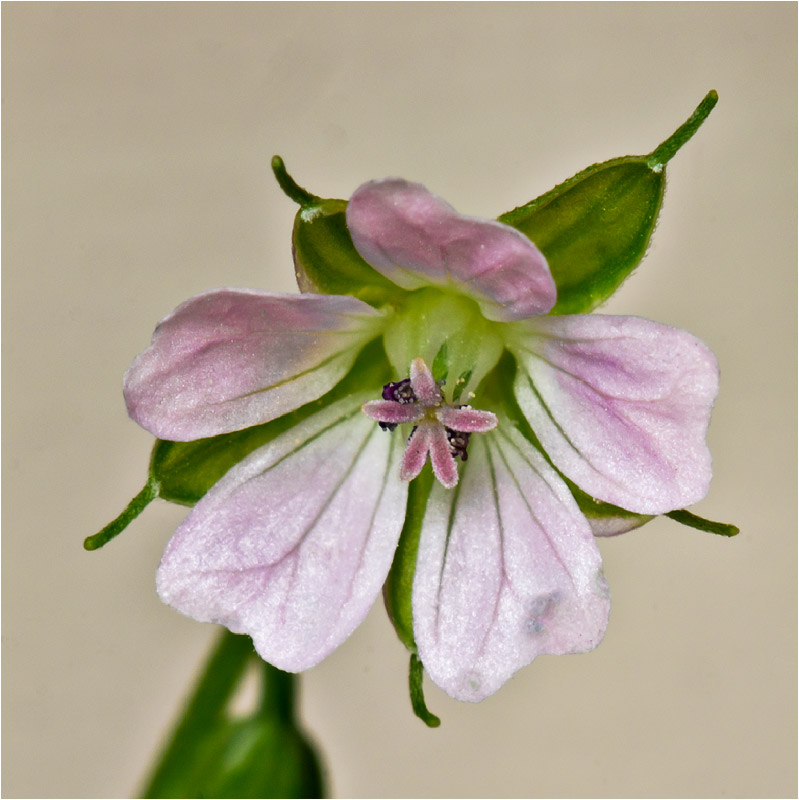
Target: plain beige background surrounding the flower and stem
[136,144]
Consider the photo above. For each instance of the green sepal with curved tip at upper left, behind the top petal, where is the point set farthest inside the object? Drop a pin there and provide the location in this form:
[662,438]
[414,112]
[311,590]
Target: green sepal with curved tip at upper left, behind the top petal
[325,259]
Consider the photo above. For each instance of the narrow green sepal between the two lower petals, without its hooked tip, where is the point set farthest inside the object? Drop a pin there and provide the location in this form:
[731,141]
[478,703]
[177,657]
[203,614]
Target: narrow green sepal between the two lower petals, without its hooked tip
[399,583]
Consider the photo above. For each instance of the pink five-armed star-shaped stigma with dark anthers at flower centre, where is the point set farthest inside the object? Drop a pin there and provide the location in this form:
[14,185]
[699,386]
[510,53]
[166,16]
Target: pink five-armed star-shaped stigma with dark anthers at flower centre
[439,429]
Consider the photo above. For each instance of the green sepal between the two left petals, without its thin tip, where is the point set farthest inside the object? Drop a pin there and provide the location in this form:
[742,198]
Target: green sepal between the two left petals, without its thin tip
[185,471]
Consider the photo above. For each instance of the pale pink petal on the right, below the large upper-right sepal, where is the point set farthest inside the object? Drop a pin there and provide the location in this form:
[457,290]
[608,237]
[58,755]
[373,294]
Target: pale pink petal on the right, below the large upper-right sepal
[621,405]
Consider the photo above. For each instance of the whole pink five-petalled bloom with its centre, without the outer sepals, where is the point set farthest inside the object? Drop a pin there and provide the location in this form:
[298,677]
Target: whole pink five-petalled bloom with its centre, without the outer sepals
[293,544]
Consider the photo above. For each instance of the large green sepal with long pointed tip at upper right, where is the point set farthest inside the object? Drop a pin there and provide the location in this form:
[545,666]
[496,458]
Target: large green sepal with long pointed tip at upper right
[595,228]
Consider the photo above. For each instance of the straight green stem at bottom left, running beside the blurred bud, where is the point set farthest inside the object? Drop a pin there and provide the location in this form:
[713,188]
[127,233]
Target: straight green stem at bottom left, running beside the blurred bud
[203,710]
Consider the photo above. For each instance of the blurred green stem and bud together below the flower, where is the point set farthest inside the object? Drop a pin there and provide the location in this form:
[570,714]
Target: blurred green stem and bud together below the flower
[214,754]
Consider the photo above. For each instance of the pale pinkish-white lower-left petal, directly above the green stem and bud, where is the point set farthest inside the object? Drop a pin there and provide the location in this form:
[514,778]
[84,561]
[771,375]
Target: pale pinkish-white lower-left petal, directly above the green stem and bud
[293,544]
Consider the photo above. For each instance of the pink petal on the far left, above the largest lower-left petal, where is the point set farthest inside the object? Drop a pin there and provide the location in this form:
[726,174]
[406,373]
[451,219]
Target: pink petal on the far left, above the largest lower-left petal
[231,358]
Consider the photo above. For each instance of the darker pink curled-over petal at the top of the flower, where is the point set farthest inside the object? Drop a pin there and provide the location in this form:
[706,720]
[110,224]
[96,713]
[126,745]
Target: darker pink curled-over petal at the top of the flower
[416,239]
